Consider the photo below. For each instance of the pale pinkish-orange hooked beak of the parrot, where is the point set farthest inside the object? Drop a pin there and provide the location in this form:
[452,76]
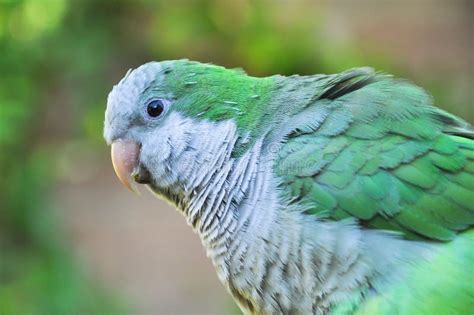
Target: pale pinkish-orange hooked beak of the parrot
[125,156]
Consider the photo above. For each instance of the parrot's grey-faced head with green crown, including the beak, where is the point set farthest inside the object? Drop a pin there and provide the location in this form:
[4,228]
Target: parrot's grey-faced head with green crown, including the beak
[166,121]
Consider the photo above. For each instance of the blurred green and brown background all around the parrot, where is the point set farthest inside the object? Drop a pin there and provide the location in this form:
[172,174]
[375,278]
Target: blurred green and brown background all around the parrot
[69,241]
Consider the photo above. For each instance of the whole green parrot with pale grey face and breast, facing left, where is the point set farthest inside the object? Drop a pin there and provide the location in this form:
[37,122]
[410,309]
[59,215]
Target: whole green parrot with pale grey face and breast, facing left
[347,193]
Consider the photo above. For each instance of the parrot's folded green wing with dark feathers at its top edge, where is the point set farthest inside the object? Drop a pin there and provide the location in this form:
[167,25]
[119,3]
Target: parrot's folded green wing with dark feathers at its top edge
[383,154]
